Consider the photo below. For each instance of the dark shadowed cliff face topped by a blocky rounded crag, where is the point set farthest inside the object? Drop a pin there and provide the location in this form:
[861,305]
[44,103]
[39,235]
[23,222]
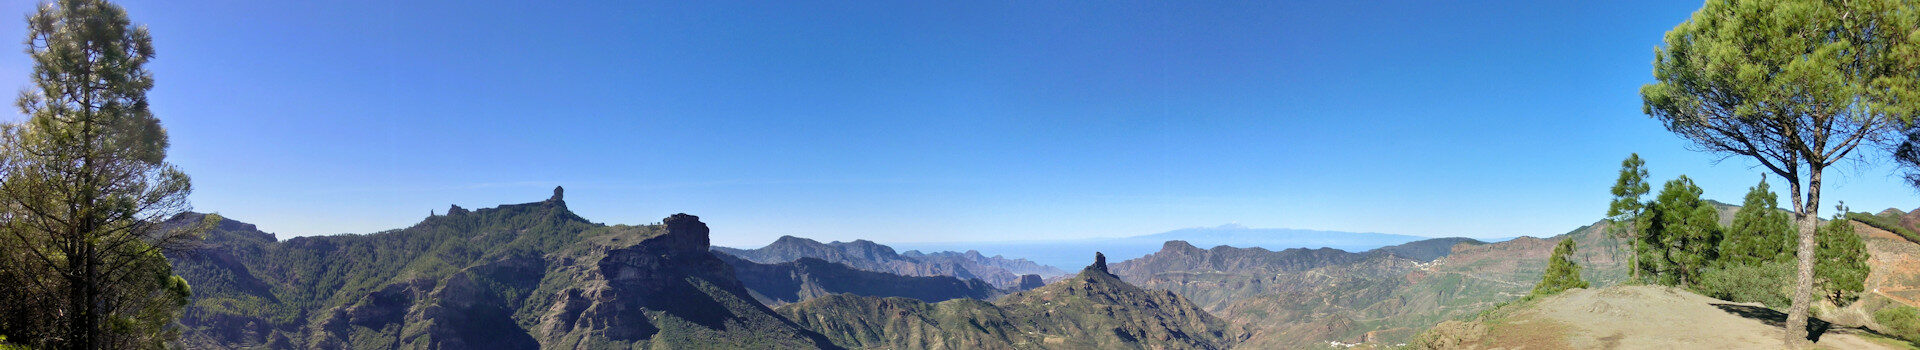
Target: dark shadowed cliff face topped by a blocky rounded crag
[667,291]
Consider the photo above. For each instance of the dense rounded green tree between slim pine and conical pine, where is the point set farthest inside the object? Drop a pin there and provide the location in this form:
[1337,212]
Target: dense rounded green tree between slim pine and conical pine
[1681,236]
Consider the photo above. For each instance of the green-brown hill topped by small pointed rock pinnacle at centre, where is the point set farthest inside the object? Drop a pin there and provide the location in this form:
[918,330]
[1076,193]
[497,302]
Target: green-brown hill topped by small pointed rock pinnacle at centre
[1090,311]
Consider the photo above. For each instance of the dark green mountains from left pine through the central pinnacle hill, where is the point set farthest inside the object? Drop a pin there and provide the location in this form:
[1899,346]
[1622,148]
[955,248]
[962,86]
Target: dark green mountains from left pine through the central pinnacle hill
[537,276]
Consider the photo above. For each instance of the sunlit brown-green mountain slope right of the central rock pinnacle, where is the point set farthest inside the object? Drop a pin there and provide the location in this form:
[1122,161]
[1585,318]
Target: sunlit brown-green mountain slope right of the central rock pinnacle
[1301,299]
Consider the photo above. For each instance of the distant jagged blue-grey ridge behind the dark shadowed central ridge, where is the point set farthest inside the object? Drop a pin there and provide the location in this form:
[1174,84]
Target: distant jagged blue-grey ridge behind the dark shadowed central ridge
[873,257]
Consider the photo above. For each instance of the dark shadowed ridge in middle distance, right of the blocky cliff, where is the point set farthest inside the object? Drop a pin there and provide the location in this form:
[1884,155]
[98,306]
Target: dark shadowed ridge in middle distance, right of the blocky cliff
[809,278]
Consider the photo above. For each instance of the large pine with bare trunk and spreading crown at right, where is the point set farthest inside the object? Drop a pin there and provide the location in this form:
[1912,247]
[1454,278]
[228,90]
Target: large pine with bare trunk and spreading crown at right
[1792,86]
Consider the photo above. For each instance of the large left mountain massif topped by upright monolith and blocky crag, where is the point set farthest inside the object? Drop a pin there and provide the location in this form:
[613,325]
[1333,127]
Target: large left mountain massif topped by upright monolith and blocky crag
[523,276]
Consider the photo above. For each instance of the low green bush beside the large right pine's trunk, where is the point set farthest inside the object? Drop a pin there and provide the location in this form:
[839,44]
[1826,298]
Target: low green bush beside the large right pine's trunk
[1765,284]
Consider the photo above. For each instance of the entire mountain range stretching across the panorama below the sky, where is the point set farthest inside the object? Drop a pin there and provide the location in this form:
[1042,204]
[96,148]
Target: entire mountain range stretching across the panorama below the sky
[537,276]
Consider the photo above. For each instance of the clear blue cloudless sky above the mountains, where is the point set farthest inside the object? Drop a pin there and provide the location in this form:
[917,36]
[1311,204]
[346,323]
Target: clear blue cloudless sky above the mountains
[913,122]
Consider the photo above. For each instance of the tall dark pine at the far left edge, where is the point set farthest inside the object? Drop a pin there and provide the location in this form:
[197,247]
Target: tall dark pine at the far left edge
[84,187]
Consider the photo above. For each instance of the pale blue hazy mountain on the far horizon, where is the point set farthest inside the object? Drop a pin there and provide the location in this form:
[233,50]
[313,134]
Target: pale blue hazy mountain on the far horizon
[1068,253]
